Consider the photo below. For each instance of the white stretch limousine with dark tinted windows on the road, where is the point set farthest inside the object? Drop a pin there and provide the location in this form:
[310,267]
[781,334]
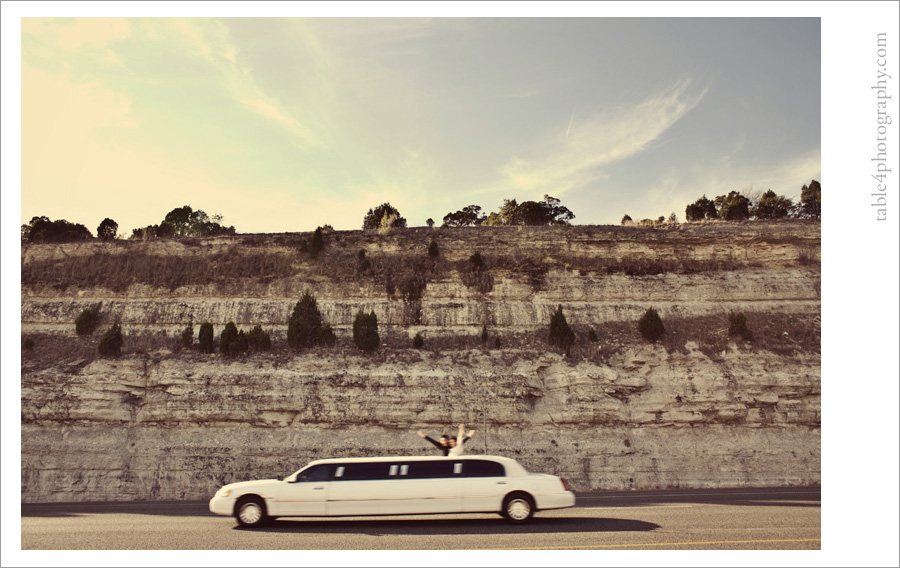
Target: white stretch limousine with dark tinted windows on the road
[396,486]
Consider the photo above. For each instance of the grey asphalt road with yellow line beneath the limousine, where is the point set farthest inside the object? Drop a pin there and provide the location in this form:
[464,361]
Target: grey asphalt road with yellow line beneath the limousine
[720,519]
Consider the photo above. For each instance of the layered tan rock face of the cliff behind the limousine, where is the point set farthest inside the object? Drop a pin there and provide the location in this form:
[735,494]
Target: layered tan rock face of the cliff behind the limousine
[163,423]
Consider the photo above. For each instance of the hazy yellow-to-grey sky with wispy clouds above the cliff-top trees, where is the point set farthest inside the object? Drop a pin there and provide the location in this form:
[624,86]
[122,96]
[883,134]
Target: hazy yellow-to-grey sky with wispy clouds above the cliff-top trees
[285,124]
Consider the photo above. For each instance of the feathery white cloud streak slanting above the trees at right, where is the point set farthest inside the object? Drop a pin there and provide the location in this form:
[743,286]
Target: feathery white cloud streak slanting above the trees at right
[607,137]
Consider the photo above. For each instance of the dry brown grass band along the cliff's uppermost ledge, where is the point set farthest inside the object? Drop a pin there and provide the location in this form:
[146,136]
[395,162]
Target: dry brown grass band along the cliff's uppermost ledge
[399,262]
